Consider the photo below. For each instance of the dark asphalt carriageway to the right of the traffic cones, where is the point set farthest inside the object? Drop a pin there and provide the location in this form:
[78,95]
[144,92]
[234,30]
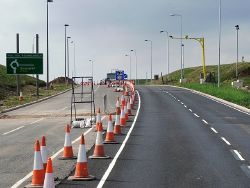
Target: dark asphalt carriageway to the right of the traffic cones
[180,139]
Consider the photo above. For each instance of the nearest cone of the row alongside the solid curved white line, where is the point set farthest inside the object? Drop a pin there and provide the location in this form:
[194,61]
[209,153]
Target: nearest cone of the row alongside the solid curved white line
[81,171]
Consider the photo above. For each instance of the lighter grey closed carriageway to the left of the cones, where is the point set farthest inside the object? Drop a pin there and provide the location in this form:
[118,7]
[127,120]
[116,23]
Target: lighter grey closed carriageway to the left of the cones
[20,128]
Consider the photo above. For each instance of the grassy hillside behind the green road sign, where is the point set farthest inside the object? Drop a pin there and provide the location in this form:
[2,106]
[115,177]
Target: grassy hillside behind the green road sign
[8,83]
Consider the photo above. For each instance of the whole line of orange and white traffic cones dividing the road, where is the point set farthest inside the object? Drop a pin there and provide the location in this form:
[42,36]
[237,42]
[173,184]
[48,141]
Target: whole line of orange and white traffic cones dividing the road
[43,169]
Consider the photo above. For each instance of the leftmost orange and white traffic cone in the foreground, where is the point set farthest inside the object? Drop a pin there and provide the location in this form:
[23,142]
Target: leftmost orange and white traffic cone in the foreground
[38,170]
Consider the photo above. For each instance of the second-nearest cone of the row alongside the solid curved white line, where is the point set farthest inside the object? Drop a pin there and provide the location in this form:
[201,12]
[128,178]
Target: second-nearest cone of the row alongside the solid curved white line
[99,149]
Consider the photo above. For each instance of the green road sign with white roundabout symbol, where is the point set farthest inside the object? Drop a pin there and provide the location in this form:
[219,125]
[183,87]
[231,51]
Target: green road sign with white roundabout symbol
[24,63]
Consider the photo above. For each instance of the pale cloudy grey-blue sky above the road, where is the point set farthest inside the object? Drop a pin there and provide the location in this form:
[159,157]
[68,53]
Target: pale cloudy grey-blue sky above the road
[106,30]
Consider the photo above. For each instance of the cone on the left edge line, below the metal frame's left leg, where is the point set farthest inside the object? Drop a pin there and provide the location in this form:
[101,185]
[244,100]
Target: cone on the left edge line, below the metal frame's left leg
[68,150]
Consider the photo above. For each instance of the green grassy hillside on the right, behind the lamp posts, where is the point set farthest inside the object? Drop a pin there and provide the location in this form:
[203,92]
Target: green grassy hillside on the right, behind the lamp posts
[227,74]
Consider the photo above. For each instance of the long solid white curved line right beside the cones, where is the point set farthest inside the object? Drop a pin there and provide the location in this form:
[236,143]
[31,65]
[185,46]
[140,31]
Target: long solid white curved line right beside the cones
[112,164]
